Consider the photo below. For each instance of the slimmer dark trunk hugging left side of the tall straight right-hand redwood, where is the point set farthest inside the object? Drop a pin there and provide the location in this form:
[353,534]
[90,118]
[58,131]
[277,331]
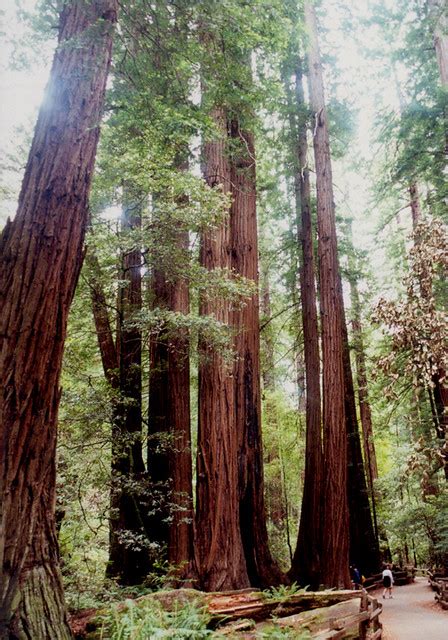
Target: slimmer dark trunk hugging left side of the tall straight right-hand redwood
[307,557]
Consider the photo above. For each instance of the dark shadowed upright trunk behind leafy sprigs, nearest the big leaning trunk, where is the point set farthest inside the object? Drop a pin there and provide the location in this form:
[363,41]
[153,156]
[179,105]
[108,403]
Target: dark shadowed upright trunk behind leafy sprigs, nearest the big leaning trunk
[128,551]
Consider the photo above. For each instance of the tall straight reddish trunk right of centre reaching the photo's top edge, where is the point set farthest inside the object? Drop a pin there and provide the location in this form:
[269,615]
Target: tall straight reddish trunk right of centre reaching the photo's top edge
[335,549]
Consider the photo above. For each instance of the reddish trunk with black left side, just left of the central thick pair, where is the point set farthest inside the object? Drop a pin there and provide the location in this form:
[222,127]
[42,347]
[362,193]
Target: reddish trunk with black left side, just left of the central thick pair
[169,443]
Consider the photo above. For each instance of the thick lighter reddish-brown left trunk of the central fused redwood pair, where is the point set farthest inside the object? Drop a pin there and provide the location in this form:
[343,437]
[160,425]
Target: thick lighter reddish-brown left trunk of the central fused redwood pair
[220,555]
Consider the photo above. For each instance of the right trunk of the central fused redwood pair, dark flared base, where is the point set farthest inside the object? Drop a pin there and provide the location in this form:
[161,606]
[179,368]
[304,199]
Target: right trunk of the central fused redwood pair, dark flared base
[261,567]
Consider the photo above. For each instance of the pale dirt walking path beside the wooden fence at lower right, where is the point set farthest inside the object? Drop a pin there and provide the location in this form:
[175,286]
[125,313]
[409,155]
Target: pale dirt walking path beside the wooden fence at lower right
[412,614]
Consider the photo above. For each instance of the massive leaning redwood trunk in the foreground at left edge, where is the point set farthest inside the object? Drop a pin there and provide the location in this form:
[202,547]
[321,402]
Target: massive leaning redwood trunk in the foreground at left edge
[41,257]
